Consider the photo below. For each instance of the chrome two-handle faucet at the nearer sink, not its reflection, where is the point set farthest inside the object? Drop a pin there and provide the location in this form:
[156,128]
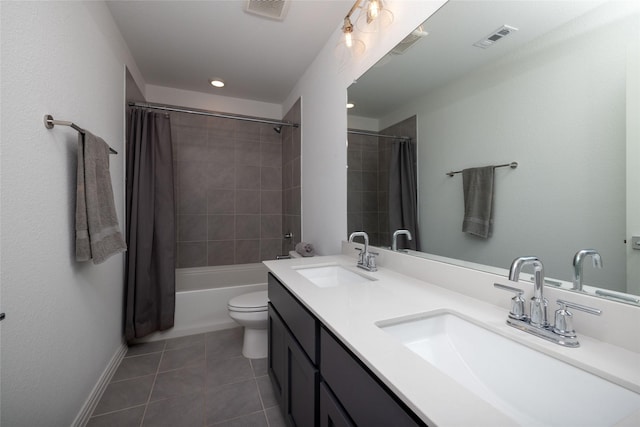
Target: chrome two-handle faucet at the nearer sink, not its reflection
[536,323]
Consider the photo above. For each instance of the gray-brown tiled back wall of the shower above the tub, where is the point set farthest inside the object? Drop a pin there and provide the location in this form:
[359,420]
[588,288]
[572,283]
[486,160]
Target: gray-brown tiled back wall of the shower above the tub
[228,177]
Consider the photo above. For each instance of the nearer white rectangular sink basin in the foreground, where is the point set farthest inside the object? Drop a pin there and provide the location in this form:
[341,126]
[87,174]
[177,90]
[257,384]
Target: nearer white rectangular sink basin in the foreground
[533,388]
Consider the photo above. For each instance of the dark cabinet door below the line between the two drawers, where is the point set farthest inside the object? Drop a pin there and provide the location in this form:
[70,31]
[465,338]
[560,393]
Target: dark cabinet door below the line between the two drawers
[301,390]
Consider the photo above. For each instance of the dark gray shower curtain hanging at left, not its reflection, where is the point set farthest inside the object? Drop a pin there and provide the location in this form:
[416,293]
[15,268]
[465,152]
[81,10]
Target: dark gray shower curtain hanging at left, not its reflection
[150,268]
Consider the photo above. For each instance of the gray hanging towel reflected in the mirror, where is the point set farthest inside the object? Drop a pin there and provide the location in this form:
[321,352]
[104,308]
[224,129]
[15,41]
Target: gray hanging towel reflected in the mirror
[477,184]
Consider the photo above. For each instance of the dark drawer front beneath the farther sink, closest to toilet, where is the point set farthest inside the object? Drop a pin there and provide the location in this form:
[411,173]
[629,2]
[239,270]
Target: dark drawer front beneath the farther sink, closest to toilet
[301,322]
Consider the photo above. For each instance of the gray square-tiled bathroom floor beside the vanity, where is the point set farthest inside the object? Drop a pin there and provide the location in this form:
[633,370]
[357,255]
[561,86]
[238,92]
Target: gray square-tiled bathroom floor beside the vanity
[198,380]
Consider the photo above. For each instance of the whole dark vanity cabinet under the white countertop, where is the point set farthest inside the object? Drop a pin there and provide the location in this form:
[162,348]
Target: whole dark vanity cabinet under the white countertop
[318,381]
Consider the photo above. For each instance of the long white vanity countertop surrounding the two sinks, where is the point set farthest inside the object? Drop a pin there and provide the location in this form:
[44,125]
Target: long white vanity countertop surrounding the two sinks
[351,313]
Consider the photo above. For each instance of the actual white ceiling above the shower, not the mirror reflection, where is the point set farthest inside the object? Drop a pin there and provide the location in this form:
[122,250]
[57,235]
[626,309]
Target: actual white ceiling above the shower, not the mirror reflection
[181,44]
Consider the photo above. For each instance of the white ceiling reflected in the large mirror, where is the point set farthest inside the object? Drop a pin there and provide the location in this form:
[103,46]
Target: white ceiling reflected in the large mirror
[447,53]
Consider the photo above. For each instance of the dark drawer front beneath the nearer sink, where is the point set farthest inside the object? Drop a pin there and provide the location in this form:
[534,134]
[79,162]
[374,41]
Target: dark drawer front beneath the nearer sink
[366,400]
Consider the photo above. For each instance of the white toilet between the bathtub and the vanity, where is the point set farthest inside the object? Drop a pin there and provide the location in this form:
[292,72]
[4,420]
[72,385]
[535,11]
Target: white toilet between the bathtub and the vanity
[250,310]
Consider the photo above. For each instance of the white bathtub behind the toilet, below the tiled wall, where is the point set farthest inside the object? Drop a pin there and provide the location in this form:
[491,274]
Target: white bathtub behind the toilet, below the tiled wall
[202,294]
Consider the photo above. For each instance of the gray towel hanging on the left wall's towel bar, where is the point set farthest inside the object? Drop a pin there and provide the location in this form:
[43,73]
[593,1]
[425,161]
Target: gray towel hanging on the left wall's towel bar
[97,232]
